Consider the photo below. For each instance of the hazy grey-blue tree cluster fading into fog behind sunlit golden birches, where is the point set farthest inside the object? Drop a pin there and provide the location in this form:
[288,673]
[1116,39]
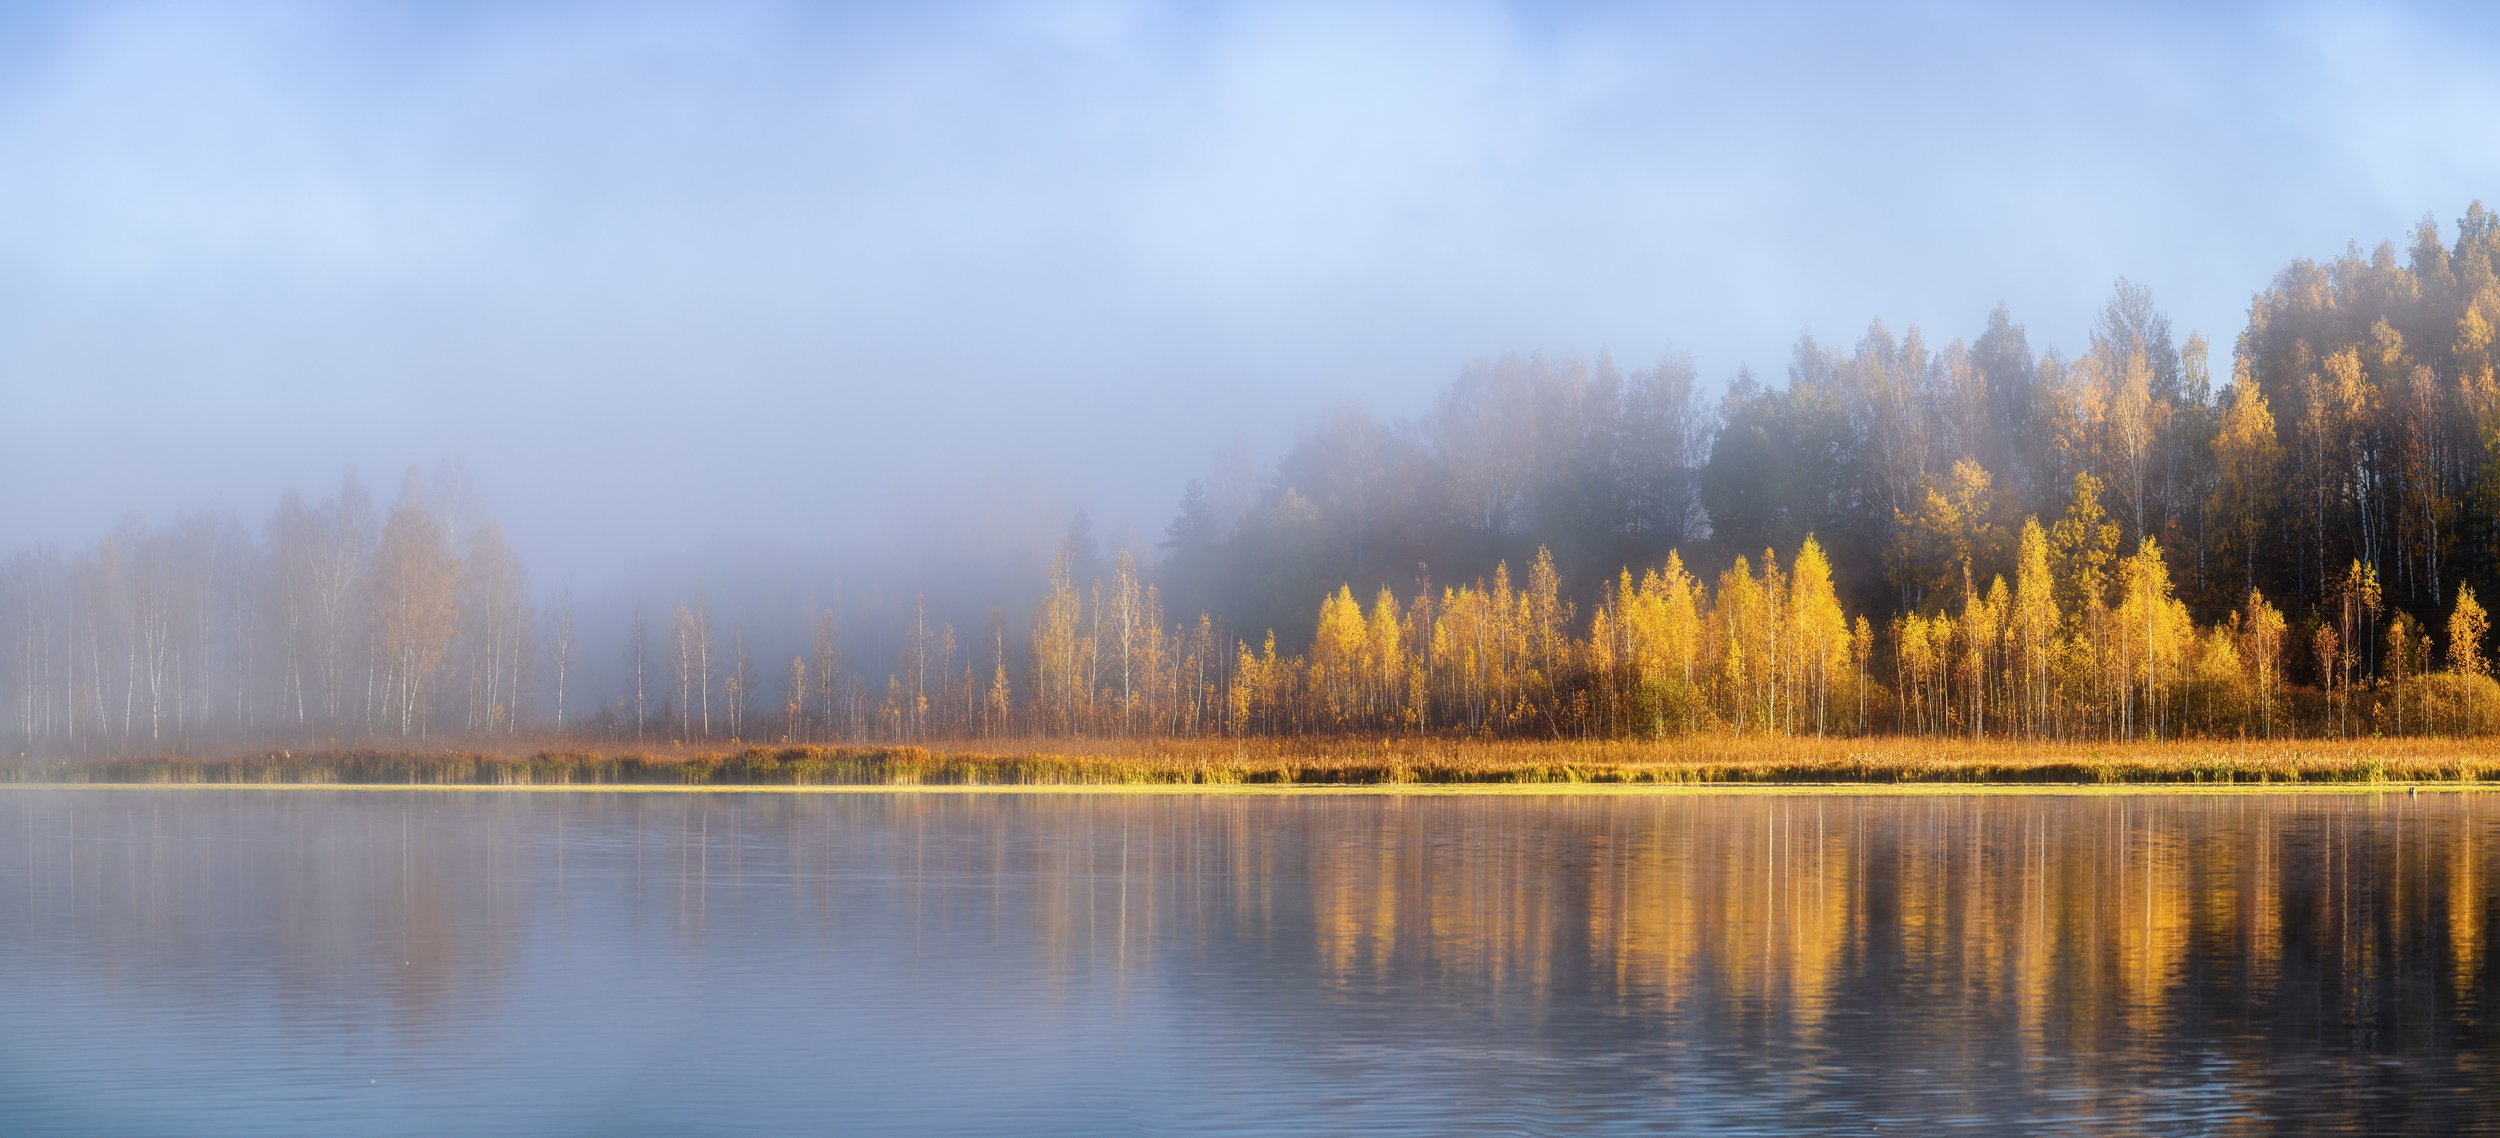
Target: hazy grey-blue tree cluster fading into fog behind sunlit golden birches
[1591,461]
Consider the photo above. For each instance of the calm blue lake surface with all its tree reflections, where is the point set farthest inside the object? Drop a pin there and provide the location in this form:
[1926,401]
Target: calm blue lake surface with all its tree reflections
[349,964]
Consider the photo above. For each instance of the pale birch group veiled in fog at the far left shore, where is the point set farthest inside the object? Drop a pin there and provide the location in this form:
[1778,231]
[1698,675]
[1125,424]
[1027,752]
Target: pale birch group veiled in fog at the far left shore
[329,622]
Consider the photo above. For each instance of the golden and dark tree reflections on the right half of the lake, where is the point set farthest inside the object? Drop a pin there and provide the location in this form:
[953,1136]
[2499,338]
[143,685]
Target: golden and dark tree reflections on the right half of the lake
[2051,927]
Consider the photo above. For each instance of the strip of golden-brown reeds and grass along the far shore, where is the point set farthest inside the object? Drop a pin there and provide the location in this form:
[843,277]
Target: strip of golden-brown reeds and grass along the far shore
[1376,762]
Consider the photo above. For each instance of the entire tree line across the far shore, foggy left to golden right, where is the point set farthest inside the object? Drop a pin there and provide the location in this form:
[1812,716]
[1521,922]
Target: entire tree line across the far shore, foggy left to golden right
[1899,539]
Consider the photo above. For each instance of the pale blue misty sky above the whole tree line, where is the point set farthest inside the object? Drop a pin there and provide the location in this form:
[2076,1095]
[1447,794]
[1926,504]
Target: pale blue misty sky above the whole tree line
[859,276]
